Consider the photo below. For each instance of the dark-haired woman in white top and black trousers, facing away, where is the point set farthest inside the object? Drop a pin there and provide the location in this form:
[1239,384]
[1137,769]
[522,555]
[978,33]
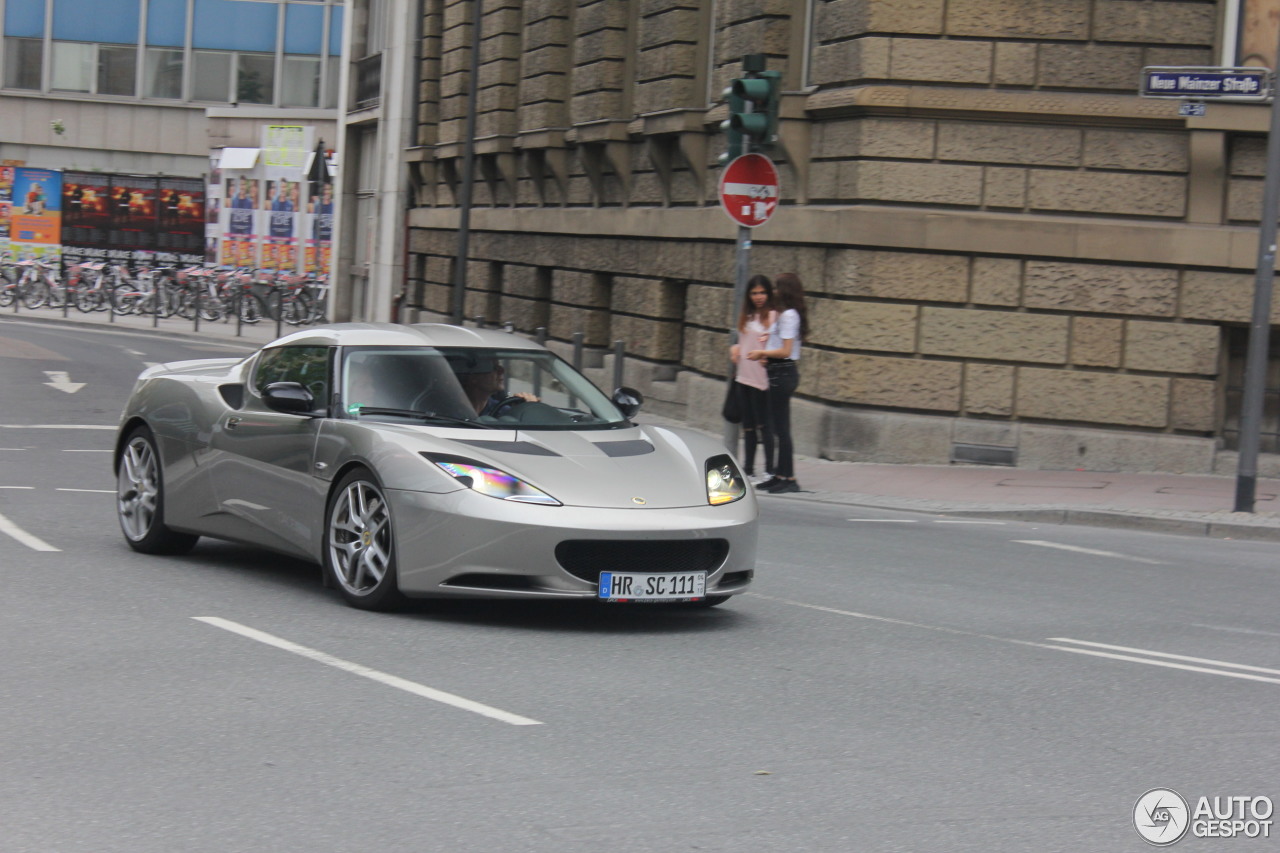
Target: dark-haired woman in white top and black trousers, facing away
[781,357]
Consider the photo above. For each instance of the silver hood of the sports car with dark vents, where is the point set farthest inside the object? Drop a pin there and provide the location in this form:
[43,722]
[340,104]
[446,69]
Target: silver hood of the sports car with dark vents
[642,467]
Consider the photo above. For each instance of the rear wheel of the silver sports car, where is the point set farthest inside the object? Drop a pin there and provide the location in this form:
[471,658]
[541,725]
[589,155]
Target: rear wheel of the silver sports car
[140,499]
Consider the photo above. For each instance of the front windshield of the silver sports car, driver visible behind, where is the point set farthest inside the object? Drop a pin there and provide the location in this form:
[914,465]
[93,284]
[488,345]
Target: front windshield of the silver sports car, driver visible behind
[472,387]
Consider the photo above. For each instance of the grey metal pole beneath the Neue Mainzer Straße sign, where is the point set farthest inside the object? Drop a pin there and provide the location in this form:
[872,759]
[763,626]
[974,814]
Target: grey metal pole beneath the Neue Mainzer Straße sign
[1260,326]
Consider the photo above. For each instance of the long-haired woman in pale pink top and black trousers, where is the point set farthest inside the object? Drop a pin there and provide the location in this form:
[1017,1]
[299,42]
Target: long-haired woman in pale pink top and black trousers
[755,325]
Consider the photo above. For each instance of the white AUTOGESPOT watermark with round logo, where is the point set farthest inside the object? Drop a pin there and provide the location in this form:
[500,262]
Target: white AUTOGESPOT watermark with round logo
[1163,816]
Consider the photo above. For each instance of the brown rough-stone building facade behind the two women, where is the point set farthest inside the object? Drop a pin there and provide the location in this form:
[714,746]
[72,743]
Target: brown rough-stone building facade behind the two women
[1009,256]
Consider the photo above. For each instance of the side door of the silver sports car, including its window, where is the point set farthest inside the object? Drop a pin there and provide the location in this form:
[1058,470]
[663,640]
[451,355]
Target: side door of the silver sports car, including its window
[264,460]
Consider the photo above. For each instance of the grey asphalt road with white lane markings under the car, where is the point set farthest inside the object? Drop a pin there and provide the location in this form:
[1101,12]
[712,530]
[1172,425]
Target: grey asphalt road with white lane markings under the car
[894,682]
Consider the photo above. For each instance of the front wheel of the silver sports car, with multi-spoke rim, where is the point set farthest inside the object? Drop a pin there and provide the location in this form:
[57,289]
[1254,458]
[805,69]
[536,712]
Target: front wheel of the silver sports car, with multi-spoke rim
[360,544]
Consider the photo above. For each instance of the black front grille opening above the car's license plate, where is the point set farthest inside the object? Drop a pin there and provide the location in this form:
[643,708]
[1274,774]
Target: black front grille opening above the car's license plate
[587,559]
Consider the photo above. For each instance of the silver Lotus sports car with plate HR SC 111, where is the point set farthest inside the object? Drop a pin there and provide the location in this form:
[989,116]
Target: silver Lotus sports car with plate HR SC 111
[428,462]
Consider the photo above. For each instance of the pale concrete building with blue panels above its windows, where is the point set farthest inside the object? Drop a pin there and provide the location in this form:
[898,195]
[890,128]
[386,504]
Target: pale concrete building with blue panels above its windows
[156,86]
